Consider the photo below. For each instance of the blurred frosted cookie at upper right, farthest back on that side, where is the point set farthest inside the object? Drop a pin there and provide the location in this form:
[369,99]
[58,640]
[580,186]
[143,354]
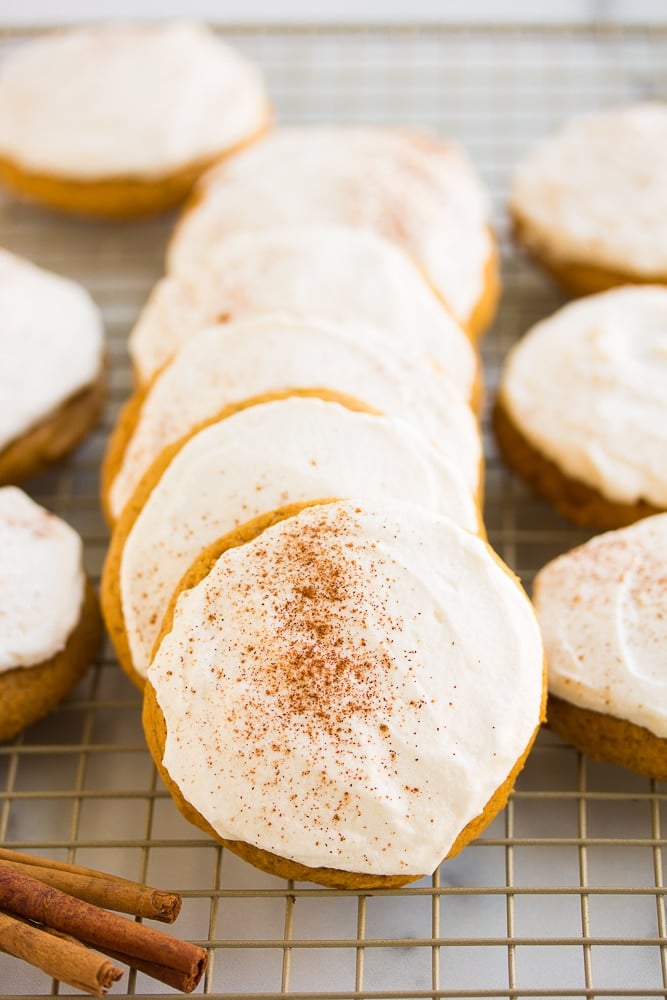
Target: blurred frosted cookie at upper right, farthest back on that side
[589,203]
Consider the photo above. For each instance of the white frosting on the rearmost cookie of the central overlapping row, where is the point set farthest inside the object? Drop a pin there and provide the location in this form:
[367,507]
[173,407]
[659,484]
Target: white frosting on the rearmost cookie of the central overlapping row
[410,188]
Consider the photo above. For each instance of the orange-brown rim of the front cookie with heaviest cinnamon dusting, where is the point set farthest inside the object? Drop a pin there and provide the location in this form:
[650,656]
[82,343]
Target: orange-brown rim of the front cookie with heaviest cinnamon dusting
[156,732]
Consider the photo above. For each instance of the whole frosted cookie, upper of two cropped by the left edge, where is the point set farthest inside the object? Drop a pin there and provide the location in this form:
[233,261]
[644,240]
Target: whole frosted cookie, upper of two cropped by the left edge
[51,374]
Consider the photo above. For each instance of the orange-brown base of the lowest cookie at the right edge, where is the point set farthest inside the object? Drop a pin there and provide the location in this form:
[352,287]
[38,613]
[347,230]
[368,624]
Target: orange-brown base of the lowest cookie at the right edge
[608,738]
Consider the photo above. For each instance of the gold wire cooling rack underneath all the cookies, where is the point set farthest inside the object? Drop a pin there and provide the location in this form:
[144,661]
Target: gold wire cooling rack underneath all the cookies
[563,895]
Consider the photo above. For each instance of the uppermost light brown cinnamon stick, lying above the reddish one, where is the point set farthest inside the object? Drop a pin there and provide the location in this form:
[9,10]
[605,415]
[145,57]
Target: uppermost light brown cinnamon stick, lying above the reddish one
[98,888]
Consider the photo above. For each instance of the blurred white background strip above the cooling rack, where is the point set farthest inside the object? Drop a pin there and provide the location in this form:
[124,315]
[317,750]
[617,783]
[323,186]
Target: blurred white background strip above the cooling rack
[341,11]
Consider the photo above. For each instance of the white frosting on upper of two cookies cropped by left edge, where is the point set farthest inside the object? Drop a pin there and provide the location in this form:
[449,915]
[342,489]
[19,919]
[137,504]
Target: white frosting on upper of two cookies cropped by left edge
[51,344]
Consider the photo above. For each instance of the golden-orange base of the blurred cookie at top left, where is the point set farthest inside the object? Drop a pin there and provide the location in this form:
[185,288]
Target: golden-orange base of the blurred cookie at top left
[114,197]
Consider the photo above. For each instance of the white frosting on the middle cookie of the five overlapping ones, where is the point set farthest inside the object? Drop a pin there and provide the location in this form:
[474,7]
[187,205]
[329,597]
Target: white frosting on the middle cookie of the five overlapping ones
[228,364]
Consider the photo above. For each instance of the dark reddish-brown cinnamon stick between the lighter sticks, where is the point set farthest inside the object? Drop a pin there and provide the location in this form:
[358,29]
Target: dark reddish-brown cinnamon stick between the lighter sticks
[23,895]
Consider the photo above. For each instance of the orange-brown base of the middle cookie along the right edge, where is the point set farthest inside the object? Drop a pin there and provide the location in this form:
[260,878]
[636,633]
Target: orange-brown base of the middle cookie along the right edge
[570,497]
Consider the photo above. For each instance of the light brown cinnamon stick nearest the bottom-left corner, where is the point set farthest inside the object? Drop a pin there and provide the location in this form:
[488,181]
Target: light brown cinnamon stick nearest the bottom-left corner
[68,961]
